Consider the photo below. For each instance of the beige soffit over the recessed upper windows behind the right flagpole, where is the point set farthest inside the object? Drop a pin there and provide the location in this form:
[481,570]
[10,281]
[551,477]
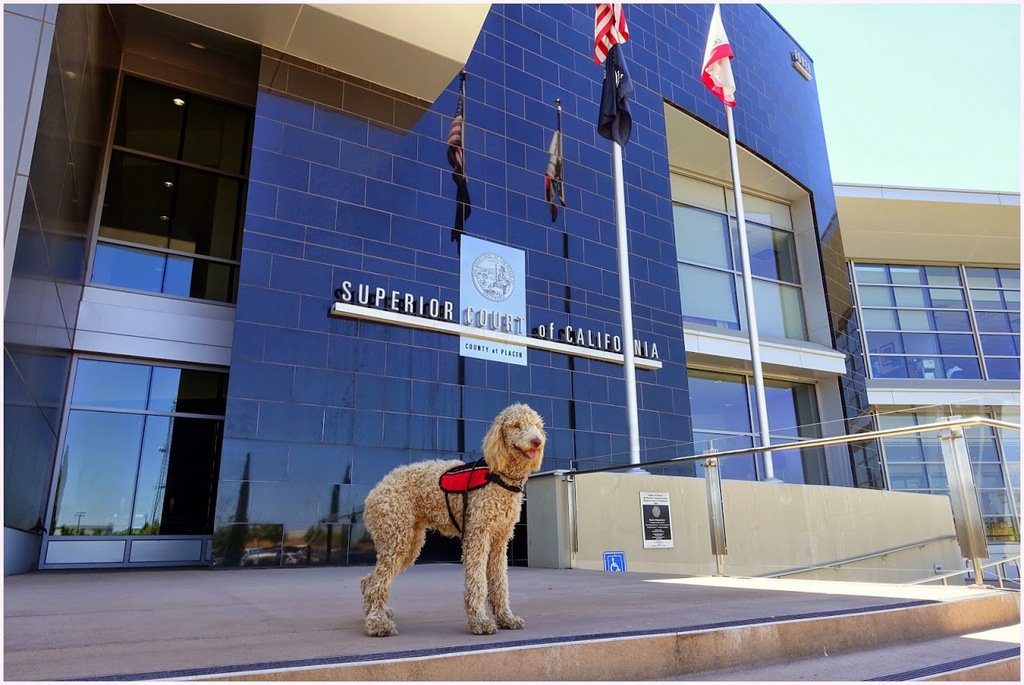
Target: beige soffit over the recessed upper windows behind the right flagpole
[697,148]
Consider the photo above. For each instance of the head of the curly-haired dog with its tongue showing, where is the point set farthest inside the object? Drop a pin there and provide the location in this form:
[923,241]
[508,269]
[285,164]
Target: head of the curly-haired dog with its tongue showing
[515,446]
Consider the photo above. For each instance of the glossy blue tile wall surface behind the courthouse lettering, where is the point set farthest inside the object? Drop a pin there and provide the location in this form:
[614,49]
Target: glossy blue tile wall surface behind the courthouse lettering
[349,183]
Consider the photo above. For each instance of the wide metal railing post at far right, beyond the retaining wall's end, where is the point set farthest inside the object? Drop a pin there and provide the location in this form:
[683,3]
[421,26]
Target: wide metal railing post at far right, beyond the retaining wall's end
[964,499]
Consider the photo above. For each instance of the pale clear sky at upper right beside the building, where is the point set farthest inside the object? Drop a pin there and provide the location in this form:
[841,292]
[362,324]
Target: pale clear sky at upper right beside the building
[921,95]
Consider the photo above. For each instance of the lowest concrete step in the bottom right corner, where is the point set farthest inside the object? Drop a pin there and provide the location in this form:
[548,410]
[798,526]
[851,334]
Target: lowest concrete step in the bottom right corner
[986,656]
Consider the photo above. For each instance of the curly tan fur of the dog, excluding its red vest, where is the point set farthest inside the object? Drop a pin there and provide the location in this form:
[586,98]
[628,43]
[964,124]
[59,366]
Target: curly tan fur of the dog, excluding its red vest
[408,502]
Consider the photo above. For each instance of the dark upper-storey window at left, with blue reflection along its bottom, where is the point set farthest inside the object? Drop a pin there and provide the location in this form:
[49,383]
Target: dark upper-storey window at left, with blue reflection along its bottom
[166,227]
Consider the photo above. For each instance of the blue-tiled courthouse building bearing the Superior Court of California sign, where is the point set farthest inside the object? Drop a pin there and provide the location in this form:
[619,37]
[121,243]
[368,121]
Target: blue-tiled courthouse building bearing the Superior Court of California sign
[234,302]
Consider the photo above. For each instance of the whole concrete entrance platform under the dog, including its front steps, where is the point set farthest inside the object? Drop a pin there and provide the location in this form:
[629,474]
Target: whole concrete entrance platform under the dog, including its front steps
[307,625]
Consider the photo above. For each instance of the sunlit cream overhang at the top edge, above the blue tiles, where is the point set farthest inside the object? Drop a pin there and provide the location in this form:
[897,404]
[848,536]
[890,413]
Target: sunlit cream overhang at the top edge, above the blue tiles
[415,50]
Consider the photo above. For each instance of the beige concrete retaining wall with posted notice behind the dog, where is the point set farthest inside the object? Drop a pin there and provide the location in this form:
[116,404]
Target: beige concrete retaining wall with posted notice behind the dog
[771,528]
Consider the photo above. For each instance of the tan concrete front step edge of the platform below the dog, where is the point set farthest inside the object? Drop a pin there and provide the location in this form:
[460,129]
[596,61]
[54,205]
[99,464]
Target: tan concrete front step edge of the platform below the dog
[822,646]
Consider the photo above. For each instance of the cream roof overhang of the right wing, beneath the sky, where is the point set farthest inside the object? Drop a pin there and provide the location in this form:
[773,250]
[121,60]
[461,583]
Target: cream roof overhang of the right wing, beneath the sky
[922,226]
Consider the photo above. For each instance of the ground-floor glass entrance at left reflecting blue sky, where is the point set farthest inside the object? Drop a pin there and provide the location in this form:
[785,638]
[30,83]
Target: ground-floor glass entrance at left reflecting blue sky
[140,462]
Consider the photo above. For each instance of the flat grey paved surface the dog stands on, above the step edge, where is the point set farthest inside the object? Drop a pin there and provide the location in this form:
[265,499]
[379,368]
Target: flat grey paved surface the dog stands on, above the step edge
[161,624]
